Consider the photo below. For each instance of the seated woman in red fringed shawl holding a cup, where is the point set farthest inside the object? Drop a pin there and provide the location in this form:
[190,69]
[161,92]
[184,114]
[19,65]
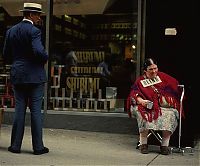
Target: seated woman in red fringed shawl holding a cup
[154,100]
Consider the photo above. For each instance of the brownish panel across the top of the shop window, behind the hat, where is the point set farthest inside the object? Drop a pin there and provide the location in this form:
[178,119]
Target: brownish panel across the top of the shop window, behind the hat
[60,7]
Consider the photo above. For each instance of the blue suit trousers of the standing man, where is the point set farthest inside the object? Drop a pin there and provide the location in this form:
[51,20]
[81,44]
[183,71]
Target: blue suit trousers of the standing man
[28,95]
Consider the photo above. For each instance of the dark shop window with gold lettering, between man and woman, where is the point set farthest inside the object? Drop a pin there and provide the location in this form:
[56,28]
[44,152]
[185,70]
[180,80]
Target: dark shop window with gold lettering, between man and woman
[92,58]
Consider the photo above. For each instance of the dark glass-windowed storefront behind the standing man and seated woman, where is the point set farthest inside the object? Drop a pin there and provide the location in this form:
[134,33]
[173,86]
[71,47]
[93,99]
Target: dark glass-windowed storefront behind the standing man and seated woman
[87,32]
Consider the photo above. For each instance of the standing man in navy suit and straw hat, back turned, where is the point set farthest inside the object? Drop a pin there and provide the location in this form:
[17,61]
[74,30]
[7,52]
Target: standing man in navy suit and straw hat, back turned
[23,49]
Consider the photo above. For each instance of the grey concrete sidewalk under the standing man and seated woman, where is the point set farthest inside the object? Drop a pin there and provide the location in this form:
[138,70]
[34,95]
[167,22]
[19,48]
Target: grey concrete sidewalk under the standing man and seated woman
[72,147]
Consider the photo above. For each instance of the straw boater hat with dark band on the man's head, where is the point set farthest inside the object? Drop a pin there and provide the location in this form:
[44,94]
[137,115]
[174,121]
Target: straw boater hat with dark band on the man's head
[32,7]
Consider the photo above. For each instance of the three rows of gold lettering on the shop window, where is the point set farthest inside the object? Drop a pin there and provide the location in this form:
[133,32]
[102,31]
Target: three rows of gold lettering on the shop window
[85,71]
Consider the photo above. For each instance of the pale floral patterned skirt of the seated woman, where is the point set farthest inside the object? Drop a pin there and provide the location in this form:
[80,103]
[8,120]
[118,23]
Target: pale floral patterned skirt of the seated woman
[167,121]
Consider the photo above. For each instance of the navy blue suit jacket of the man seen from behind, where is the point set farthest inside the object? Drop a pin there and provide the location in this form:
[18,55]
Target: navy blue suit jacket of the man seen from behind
[24,50]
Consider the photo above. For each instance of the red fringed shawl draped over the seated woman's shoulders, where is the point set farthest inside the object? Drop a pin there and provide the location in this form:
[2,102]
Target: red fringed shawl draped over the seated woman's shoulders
[168,88]
